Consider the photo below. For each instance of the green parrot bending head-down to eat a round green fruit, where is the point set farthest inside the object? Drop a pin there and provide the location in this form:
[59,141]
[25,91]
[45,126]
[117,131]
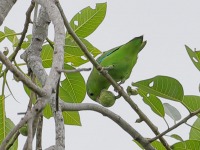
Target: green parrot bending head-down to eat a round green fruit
[121,60]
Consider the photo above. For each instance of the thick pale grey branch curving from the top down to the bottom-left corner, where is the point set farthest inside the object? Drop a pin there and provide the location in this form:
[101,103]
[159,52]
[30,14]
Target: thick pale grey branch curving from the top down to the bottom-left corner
[53,77]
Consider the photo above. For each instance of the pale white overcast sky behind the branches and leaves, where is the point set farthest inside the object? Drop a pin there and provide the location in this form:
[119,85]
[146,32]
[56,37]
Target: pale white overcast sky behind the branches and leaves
[166,25]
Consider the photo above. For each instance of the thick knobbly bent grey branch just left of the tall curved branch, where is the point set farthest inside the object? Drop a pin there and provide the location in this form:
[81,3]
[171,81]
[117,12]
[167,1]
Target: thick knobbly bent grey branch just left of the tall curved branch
[32,55]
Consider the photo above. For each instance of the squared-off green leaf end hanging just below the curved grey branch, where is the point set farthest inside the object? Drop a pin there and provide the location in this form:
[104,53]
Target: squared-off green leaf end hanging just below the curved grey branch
[71,118]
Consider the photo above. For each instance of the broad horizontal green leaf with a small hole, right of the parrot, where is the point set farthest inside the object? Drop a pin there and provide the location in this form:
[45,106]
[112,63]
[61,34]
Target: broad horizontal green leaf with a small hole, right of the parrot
[162,86]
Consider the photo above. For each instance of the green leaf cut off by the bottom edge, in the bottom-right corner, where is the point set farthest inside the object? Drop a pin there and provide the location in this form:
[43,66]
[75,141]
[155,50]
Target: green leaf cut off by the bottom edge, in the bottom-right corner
[186,145]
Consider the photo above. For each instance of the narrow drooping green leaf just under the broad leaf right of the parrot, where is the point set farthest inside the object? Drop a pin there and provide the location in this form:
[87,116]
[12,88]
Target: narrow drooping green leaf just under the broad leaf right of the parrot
[153,102]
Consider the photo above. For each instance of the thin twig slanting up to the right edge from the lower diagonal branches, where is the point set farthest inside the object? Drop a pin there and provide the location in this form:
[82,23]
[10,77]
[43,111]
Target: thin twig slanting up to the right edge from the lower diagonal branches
[184,120]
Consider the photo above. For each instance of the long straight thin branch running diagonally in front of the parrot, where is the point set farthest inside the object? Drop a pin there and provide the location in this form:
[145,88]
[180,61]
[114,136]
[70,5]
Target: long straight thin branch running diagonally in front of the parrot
[109,78]
